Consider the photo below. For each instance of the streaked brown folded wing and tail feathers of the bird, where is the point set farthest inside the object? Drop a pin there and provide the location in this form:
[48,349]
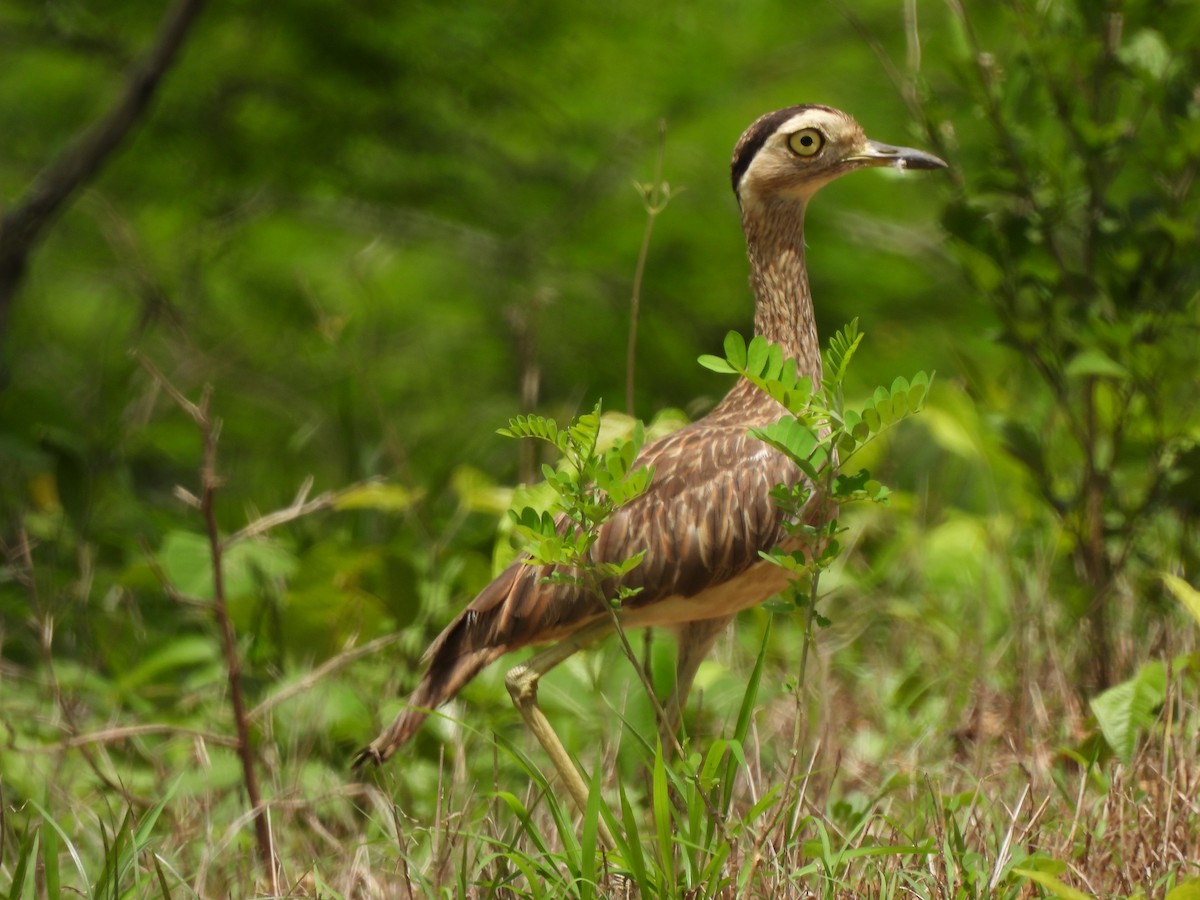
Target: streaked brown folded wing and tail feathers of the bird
[704,520]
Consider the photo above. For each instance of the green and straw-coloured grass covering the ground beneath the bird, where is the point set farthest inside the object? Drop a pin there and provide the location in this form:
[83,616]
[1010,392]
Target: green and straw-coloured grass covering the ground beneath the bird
[976,787]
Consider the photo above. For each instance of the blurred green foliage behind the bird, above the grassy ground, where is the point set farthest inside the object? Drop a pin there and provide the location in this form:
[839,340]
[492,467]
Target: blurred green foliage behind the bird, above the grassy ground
[368,225]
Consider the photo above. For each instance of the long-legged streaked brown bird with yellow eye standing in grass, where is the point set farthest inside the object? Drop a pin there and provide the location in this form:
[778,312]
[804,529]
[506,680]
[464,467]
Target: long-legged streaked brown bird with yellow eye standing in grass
[709,511]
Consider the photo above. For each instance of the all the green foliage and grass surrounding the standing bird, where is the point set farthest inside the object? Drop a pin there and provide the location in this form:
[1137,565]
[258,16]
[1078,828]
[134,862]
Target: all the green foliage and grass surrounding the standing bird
[344,245]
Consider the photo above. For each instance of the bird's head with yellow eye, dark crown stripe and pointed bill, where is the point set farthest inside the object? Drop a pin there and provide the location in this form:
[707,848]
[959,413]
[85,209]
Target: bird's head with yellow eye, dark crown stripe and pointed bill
[791,153]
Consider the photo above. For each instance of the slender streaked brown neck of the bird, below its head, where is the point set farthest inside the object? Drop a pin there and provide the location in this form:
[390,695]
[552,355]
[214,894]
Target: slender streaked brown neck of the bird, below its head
[784,314]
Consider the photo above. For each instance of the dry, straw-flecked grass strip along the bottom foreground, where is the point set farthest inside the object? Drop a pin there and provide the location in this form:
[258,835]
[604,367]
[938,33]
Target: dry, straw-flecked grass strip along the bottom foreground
[958,814]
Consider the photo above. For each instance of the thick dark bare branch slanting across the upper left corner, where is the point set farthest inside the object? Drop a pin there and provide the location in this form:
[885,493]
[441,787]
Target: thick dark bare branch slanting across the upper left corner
[23,226]
